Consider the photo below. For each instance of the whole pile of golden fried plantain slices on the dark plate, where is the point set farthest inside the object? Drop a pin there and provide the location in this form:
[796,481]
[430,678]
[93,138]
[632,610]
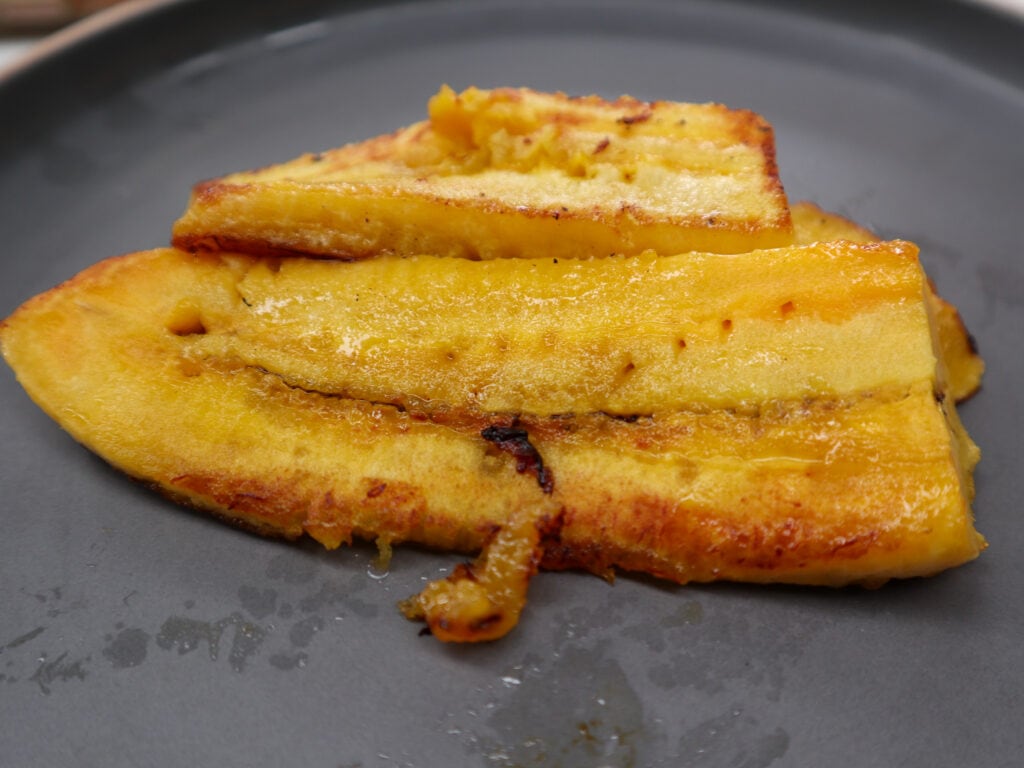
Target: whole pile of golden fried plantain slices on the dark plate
[556,332]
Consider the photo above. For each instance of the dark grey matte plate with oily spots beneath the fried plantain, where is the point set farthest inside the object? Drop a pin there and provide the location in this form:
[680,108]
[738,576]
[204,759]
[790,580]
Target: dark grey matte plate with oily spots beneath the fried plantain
[137,633]
